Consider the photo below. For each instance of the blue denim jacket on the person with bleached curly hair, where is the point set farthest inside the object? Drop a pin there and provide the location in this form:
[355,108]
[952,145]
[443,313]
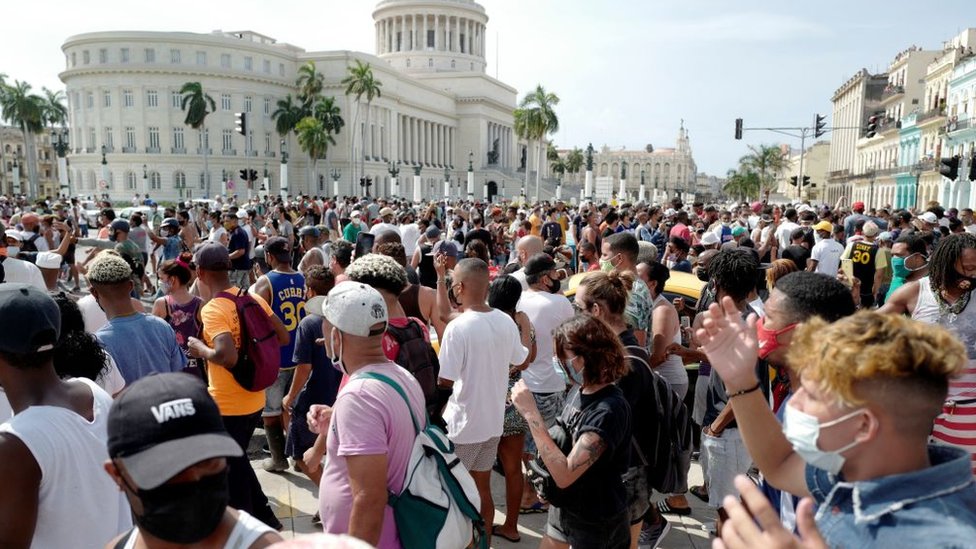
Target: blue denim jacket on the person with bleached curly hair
[934,507]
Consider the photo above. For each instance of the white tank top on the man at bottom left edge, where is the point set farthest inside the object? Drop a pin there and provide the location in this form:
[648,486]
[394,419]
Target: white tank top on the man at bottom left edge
[78,504]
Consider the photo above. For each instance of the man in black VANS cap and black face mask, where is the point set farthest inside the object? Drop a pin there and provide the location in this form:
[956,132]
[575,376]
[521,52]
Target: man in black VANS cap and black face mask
[168,448]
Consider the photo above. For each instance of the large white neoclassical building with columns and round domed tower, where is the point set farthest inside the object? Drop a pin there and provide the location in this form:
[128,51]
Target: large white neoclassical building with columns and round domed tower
[438,112]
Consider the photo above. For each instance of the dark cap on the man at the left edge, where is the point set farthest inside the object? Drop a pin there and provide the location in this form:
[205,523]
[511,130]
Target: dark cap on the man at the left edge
[30,321]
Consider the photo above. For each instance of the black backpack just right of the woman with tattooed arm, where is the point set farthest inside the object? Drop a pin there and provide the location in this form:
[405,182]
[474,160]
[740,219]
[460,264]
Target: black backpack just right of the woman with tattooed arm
[668,434]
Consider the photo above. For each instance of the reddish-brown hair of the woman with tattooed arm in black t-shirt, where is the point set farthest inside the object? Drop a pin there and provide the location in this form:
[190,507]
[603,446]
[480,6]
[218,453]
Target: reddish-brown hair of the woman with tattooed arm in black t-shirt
[604,359]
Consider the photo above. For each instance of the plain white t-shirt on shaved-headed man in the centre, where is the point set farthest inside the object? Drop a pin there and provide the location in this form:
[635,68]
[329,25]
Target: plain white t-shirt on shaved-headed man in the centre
[476,353]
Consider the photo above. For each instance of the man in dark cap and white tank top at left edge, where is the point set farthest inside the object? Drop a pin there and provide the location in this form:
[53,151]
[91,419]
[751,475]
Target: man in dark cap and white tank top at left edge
[52,490]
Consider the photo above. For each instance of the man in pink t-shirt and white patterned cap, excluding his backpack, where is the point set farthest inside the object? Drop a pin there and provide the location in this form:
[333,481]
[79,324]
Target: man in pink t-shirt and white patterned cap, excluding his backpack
[370,429]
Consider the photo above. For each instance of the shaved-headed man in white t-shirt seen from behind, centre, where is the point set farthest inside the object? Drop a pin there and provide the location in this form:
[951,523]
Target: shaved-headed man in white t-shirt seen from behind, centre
[478,347]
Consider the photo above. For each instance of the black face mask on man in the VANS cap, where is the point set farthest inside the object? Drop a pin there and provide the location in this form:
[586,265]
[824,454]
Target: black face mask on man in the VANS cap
[186,512]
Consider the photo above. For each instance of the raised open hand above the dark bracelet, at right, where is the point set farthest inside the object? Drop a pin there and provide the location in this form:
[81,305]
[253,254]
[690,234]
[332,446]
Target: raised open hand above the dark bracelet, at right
[730,344]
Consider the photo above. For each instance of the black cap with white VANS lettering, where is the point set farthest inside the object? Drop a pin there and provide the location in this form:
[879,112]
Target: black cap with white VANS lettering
[164,423]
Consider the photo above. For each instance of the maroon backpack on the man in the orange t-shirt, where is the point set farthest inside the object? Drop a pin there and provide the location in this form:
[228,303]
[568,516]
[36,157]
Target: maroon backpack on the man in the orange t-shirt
[259,357]
